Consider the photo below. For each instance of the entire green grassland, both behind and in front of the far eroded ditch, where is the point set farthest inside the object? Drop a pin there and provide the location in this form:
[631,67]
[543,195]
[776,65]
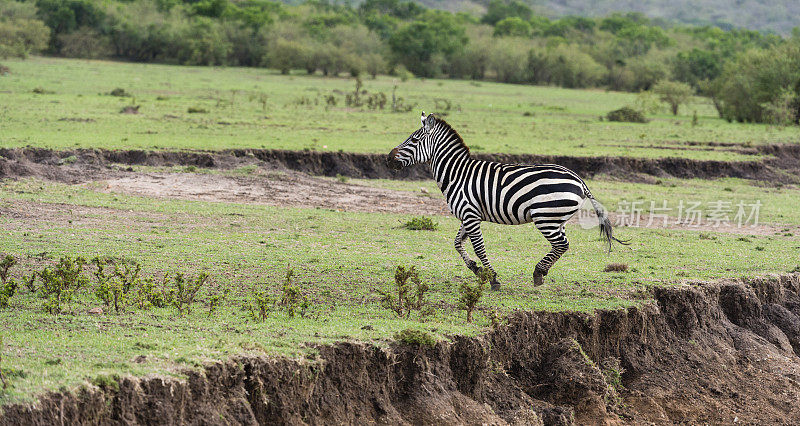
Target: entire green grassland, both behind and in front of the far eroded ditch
[340,258]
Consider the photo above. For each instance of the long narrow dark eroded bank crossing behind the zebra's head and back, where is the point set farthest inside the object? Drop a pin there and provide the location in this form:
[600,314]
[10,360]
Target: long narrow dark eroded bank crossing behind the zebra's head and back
[781,166]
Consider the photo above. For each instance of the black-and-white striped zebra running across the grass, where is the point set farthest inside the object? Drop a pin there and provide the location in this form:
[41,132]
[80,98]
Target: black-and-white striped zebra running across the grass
[476,190]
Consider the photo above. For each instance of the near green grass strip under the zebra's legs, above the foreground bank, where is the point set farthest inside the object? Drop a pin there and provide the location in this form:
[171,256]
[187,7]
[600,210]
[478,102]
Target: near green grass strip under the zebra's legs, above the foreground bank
[339,259]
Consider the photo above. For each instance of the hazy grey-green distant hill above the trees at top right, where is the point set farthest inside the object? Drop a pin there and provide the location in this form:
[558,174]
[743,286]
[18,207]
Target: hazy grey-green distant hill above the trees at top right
[778,16]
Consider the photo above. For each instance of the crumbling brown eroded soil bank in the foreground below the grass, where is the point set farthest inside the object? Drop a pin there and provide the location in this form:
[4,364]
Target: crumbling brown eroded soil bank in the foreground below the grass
[724,352]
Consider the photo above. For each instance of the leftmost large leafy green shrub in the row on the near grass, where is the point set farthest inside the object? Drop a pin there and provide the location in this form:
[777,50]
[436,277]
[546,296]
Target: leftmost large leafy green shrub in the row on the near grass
[59,284]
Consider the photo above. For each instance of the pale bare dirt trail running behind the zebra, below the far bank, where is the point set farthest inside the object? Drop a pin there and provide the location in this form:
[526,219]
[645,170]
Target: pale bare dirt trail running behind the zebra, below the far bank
[294,189]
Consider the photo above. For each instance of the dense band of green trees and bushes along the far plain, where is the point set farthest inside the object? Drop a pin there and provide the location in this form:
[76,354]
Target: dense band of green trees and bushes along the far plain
[750,76]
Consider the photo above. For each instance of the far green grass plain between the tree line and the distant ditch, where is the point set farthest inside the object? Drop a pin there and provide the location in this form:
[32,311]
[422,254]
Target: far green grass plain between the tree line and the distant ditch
[490,116]
